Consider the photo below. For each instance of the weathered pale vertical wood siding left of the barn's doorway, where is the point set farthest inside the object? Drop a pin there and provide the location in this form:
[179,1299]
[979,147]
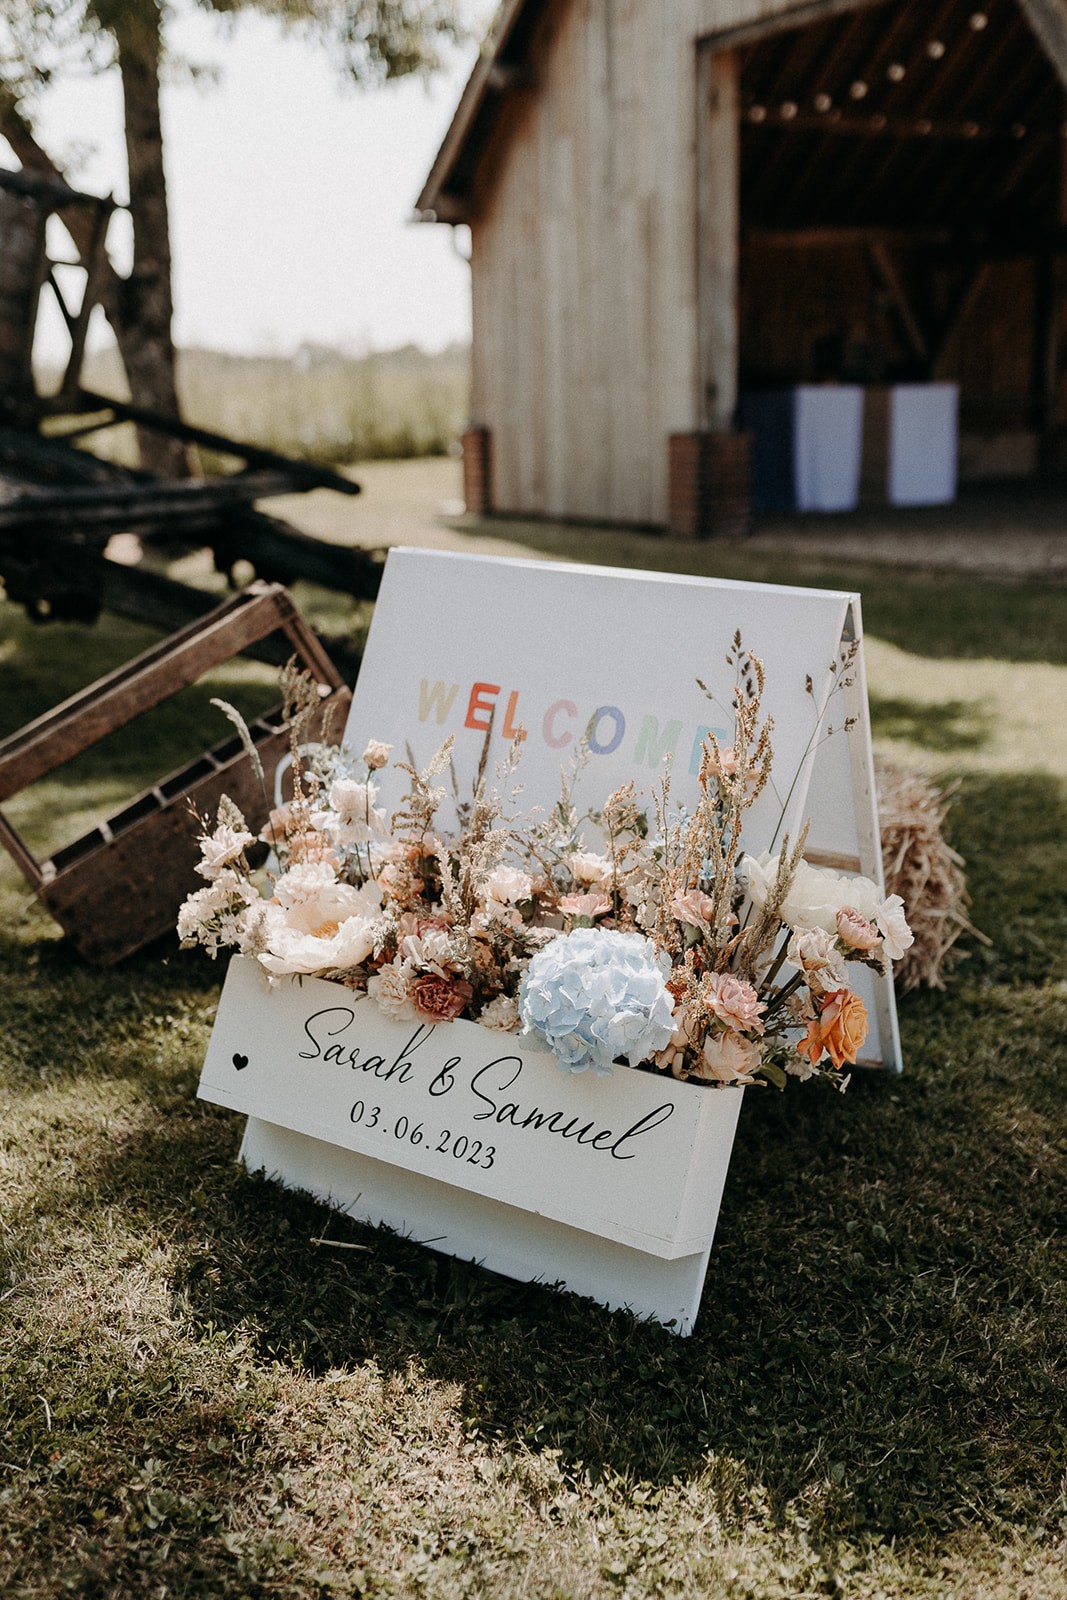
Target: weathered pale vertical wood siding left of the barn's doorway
[586,340]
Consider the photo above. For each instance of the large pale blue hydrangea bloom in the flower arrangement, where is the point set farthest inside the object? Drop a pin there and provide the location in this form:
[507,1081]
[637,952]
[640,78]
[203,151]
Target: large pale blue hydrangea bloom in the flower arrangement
[596,996]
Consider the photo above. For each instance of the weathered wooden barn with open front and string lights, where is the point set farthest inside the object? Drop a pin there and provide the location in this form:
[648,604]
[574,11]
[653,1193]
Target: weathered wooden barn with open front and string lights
[689,217]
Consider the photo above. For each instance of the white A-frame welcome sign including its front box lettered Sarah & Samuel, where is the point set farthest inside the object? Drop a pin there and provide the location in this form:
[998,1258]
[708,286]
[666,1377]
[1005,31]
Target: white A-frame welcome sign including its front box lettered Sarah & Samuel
[470,1140]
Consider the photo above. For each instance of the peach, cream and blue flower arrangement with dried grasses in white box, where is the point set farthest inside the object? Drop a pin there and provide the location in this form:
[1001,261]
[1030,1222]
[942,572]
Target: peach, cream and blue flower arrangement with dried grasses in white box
[657,940]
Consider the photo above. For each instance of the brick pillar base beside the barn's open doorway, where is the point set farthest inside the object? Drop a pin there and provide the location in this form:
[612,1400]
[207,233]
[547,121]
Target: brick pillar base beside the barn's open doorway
[708,486]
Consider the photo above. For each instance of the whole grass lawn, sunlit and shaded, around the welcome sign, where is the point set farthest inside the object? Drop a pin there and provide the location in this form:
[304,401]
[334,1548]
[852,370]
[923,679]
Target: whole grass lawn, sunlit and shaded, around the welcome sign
[201,1401]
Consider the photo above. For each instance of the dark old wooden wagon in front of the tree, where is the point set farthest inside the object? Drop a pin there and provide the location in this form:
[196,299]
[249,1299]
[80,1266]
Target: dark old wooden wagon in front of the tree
[60,505]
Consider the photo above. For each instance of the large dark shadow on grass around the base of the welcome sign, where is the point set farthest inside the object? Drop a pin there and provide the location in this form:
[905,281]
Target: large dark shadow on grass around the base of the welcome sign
[881,1338]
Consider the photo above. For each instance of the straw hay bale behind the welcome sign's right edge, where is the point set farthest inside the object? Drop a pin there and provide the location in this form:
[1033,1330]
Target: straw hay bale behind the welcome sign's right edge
[925,871]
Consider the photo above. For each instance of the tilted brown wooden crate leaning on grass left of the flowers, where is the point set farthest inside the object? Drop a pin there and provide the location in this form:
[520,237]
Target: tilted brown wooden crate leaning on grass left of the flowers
[121,887]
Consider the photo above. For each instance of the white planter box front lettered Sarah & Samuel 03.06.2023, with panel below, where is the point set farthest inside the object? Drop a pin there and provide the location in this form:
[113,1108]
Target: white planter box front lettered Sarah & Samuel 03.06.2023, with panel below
[476,1143]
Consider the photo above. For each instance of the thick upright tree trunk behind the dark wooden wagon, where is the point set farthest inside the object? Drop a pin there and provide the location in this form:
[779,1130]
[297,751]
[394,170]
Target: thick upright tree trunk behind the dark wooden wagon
[146,306]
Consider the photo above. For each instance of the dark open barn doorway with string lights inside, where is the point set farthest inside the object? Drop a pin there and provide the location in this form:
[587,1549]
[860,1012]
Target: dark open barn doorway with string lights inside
[903,218]
